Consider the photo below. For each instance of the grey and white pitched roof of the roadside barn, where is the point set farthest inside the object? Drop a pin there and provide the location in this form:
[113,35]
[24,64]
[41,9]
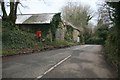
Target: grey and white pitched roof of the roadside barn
[34,18]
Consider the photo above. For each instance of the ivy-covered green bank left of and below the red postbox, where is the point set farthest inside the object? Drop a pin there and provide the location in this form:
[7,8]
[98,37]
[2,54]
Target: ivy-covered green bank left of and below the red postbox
[13,39]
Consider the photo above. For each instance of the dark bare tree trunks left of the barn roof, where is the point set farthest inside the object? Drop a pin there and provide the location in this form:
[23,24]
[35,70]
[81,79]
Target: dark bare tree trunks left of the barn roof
[13,4]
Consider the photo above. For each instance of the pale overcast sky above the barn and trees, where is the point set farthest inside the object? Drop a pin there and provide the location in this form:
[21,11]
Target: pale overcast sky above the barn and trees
[53,6]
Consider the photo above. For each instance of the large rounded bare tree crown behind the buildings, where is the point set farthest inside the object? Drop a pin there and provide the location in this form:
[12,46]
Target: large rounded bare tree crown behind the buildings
[76,14]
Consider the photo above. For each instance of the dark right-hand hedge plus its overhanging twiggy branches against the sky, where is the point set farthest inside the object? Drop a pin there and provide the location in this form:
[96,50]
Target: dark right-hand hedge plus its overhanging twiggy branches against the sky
[112,44]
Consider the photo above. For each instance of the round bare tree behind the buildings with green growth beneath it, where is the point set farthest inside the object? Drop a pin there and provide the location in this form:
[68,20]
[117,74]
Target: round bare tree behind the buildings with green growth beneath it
[78,16]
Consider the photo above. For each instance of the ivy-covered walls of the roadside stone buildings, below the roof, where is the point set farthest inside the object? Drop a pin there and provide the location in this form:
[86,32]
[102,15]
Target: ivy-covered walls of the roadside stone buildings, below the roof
[56,30]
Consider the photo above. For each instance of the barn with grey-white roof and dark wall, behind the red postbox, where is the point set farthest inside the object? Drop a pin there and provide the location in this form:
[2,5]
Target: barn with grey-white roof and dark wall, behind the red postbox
[36,22]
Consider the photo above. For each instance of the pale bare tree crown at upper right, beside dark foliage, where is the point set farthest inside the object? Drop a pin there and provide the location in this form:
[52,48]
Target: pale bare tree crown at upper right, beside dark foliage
[106,13]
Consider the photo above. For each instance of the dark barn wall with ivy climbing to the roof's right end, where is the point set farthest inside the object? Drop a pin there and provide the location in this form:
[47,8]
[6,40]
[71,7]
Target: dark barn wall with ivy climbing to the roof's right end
[48,31]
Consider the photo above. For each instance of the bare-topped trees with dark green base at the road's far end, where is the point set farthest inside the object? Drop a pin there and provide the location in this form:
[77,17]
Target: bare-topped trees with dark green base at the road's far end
[101,31]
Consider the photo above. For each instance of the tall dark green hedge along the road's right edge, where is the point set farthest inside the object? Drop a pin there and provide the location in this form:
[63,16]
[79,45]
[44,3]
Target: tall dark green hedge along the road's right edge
[113,40]
